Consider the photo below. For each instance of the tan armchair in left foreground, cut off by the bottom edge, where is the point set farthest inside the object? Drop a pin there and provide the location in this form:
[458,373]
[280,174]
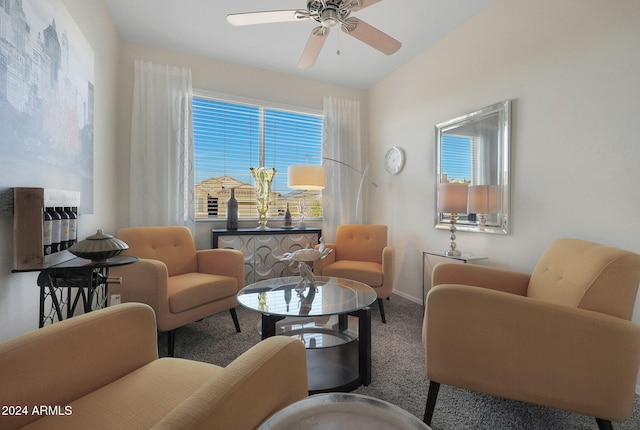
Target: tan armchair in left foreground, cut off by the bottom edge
[101,371]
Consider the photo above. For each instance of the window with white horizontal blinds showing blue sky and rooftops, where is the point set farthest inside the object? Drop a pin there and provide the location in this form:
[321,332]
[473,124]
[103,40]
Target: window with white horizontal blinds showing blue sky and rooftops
[230,137]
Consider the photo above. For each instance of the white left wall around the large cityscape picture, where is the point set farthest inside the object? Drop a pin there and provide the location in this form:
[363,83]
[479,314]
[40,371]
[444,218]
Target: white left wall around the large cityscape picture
[19,294]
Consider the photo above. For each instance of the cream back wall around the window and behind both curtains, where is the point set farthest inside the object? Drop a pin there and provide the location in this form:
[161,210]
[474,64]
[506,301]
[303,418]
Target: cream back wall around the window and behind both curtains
[219,77]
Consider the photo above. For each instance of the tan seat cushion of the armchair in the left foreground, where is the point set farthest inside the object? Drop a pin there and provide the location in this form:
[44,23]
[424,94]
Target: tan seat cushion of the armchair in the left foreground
[137,400]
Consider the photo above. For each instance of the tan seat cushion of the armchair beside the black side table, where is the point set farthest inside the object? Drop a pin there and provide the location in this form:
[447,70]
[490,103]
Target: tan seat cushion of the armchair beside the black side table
[191,290]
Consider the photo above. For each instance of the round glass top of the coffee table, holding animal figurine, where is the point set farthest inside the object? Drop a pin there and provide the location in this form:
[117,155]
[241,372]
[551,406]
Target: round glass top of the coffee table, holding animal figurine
[332,296]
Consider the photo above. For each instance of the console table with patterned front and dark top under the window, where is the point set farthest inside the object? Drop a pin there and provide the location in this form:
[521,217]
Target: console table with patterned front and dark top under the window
[263,249]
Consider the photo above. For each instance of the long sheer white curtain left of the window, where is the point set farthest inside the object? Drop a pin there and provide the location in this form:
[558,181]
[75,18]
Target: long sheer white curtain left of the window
[161,190]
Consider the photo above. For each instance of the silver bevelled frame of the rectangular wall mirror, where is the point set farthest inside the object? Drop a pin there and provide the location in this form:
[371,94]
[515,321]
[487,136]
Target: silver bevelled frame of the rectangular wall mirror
[498,223]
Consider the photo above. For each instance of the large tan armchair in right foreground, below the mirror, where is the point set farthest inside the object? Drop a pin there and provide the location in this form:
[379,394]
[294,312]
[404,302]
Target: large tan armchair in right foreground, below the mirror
[559,337]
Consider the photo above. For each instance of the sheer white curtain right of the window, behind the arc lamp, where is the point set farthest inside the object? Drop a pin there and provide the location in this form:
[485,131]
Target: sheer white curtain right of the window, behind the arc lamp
[341,141]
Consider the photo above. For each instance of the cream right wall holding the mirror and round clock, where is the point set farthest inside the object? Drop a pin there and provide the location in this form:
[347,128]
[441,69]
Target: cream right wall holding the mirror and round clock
[573,71]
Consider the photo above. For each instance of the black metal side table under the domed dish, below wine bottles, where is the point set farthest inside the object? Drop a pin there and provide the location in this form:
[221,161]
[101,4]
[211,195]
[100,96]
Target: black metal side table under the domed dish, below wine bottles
[89,280]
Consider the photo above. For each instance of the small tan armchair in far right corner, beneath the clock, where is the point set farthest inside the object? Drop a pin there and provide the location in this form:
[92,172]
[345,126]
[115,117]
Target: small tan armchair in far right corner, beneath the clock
[361,253]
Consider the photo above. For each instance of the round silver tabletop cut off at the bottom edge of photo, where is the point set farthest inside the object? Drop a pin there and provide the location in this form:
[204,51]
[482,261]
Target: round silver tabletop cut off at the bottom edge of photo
[336,411]
